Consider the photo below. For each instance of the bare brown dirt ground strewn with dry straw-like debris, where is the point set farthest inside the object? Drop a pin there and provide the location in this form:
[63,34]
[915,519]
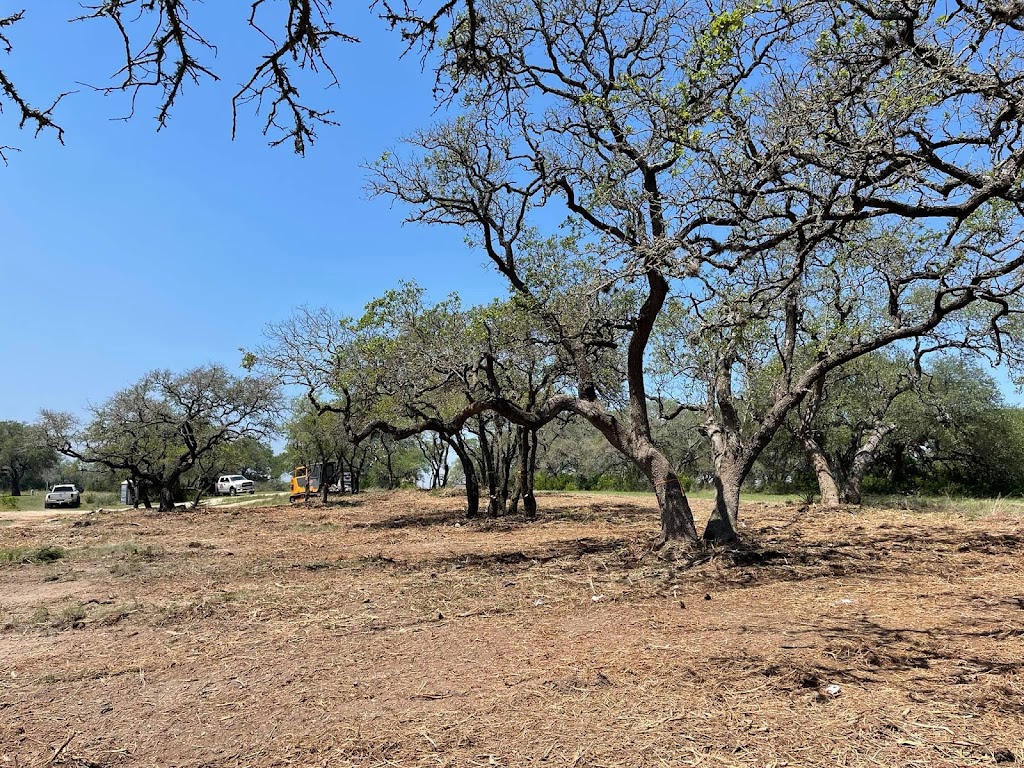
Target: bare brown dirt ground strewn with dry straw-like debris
[391,632]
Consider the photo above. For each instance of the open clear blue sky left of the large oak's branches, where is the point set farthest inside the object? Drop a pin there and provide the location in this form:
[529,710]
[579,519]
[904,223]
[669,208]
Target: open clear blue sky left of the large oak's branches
[129,250]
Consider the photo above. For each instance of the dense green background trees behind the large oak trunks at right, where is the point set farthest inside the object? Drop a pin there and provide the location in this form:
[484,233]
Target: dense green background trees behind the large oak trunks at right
[879,429]
